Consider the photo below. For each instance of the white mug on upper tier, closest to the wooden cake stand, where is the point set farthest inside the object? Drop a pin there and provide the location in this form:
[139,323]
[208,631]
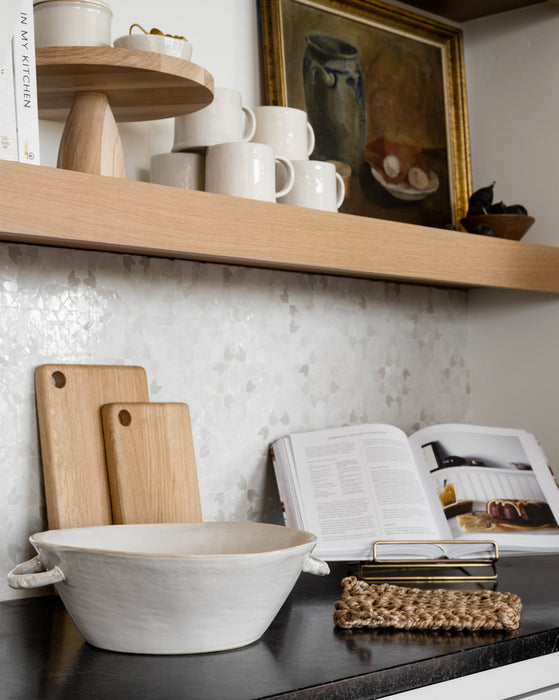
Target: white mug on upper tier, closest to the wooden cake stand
[224,120]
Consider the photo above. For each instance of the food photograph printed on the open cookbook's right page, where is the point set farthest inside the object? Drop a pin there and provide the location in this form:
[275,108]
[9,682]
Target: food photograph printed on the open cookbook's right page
[486,484]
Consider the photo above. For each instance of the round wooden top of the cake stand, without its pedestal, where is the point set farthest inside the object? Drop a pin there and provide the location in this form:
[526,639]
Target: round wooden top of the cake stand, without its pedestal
[139,85]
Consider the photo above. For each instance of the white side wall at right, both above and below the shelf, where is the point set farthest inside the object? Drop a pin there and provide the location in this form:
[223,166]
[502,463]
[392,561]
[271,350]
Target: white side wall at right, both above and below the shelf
[512,71]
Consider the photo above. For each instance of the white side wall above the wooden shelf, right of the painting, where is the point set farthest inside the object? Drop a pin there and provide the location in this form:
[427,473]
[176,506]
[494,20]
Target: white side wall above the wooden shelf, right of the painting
[512,72]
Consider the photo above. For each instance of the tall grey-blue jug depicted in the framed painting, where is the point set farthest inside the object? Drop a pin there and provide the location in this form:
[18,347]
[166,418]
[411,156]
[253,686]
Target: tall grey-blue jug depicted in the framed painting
[335,98]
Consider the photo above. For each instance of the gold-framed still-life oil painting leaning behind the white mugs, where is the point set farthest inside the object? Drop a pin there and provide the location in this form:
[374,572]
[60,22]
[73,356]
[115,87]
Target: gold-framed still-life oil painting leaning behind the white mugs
[384,90]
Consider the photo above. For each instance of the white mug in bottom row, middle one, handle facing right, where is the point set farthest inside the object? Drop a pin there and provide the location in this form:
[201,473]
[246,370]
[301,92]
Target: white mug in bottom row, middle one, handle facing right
[248,170]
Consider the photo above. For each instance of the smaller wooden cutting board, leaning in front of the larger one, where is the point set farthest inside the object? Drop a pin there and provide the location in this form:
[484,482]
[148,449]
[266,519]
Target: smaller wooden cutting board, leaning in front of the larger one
[151,463]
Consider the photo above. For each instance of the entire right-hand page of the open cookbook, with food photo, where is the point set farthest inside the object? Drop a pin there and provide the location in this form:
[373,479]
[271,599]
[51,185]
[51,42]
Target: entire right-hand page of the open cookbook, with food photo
[492,483]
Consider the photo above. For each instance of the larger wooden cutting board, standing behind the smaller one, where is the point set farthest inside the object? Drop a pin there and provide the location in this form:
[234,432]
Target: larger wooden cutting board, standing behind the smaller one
[69,400]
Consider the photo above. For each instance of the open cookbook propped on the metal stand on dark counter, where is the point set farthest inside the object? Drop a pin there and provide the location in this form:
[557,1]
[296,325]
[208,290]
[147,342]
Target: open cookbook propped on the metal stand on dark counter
[355,485]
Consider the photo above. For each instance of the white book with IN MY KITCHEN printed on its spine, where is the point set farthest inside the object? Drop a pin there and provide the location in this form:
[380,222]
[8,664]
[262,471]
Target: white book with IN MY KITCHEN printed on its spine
[25,85]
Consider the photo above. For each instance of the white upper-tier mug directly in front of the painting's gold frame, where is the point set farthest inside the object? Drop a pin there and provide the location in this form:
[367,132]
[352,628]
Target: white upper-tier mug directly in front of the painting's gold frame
[286,129]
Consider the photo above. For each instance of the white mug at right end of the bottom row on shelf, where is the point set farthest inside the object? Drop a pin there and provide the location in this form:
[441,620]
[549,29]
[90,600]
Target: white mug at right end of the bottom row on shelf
[317,185]
